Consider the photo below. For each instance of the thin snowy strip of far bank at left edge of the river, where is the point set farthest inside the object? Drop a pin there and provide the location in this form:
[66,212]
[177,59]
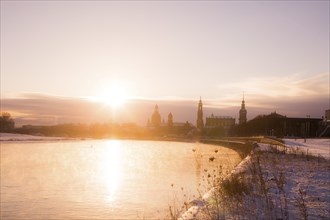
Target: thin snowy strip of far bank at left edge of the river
[24,137]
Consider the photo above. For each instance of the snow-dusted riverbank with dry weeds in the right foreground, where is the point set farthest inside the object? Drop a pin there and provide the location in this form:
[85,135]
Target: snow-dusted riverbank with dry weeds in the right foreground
[277,181]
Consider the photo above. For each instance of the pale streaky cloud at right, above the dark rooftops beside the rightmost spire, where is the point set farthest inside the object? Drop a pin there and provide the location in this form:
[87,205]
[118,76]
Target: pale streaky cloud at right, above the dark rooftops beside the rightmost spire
[295,95]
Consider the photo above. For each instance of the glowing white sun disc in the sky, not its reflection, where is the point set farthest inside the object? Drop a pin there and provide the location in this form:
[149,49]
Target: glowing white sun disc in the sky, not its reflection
[113,95]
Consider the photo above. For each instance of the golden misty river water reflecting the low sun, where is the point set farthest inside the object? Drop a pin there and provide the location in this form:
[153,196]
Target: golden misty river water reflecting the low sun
[102,179]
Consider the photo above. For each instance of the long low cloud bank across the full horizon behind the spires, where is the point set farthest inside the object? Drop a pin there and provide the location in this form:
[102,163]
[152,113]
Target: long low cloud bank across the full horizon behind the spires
[304,96]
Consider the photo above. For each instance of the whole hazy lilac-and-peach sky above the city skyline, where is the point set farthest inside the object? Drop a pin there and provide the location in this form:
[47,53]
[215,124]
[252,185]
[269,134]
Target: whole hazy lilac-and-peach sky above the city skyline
[60,59]
